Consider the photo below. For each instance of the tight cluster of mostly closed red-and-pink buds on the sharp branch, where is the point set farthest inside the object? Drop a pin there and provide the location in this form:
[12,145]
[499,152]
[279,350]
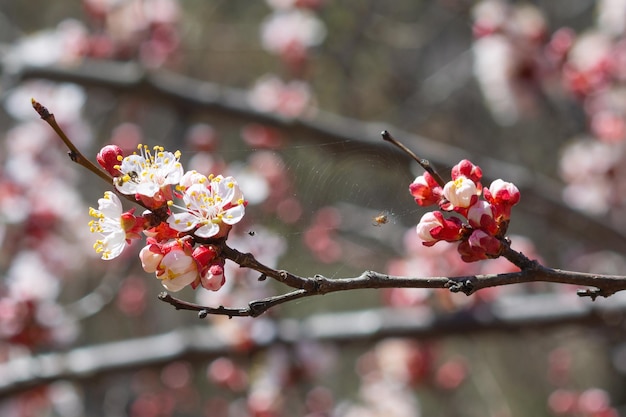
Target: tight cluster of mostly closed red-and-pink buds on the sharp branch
[478,224]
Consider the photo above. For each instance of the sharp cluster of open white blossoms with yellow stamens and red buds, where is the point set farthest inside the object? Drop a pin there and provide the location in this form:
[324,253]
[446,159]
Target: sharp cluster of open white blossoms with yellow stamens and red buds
[182,246]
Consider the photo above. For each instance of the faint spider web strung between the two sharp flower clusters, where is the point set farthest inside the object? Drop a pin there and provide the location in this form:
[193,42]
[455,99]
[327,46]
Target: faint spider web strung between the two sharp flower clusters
[351,184]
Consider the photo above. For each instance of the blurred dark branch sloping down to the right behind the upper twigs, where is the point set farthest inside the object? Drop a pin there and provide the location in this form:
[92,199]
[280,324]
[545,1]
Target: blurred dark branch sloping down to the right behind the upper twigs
[541,194]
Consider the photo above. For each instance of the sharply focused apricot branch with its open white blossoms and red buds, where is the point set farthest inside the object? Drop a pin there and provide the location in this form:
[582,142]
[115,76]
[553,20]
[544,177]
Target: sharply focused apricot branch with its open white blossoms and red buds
[188,246]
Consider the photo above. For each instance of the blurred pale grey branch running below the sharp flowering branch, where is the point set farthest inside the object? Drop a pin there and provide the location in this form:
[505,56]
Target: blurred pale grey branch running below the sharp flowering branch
[201,343]
